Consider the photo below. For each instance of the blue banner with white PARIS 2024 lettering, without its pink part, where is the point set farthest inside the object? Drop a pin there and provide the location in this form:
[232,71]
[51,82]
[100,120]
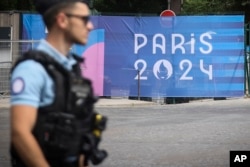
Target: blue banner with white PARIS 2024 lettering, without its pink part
[182,56]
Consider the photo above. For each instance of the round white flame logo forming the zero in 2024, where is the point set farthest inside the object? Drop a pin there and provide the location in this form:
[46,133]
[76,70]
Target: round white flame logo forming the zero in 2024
[163,69]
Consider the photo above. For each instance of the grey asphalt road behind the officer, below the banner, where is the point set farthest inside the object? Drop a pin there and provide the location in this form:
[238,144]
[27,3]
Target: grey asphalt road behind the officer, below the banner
[197,134]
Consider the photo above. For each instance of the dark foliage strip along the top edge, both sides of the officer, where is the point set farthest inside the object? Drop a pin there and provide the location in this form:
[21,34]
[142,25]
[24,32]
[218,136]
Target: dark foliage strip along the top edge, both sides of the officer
[190,7]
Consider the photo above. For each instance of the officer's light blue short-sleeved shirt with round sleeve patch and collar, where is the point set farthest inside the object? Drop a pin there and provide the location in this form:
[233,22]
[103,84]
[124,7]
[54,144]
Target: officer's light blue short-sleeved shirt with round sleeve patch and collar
[31,84]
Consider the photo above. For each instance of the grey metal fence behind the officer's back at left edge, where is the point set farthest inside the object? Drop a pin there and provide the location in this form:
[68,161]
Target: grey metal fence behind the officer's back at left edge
[9,51]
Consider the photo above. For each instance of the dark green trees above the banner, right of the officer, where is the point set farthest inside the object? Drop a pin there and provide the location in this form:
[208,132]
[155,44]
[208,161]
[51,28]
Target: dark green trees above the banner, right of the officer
[190,7]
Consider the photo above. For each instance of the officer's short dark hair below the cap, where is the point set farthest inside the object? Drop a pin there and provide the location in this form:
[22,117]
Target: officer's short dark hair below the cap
[50,15]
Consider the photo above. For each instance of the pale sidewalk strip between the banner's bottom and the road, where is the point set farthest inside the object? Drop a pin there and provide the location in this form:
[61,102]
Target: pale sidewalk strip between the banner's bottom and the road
[114,102]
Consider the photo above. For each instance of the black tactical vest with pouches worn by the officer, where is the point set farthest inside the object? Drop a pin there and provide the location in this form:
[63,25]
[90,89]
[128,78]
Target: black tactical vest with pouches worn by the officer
[63,128]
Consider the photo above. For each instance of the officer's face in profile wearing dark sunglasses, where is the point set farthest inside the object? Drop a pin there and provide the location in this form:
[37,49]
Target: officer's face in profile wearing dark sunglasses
[79,25]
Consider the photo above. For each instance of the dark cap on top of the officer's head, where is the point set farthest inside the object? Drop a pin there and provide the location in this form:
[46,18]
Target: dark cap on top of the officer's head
[43,5]
